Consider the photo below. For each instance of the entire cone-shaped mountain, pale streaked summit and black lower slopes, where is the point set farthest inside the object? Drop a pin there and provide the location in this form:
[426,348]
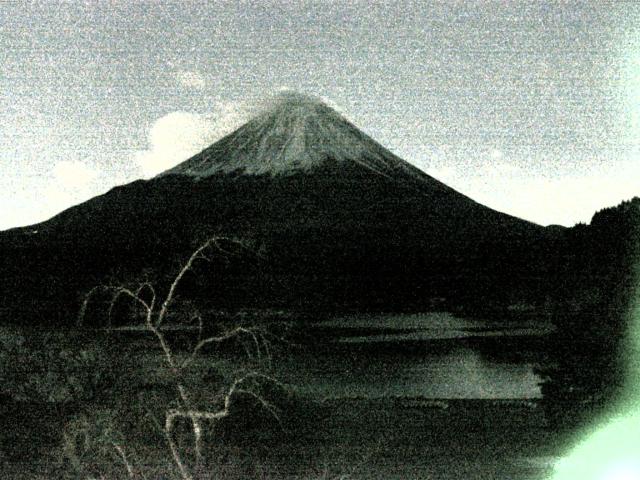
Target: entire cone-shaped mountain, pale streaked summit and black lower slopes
[341,221]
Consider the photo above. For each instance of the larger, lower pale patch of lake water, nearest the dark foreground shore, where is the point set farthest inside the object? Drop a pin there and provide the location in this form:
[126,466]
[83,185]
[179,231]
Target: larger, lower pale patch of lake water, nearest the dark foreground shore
[460,374]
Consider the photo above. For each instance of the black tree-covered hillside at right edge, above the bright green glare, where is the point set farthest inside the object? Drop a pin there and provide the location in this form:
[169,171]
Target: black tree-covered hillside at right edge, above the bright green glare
[596,282]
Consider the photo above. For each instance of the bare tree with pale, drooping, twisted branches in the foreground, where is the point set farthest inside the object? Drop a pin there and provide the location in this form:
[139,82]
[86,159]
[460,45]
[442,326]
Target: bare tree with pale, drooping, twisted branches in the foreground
[155,311]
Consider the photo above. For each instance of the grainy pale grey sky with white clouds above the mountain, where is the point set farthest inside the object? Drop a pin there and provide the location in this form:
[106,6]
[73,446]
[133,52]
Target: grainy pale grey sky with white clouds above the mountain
[531,108]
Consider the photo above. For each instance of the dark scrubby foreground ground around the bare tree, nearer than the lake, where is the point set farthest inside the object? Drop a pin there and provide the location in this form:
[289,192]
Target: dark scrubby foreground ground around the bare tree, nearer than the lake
[67,424]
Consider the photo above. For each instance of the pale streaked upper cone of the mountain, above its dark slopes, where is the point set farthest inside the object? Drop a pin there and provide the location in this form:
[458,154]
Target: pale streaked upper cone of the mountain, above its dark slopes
[295,132]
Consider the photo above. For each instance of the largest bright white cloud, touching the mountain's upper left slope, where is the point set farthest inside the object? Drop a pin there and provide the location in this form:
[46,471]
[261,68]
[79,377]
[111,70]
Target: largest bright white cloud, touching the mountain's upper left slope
[180,135]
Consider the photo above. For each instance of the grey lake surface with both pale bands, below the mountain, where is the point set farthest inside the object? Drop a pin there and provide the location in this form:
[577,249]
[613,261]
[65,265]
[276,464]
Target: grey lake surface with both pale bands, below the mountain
[461,371]
